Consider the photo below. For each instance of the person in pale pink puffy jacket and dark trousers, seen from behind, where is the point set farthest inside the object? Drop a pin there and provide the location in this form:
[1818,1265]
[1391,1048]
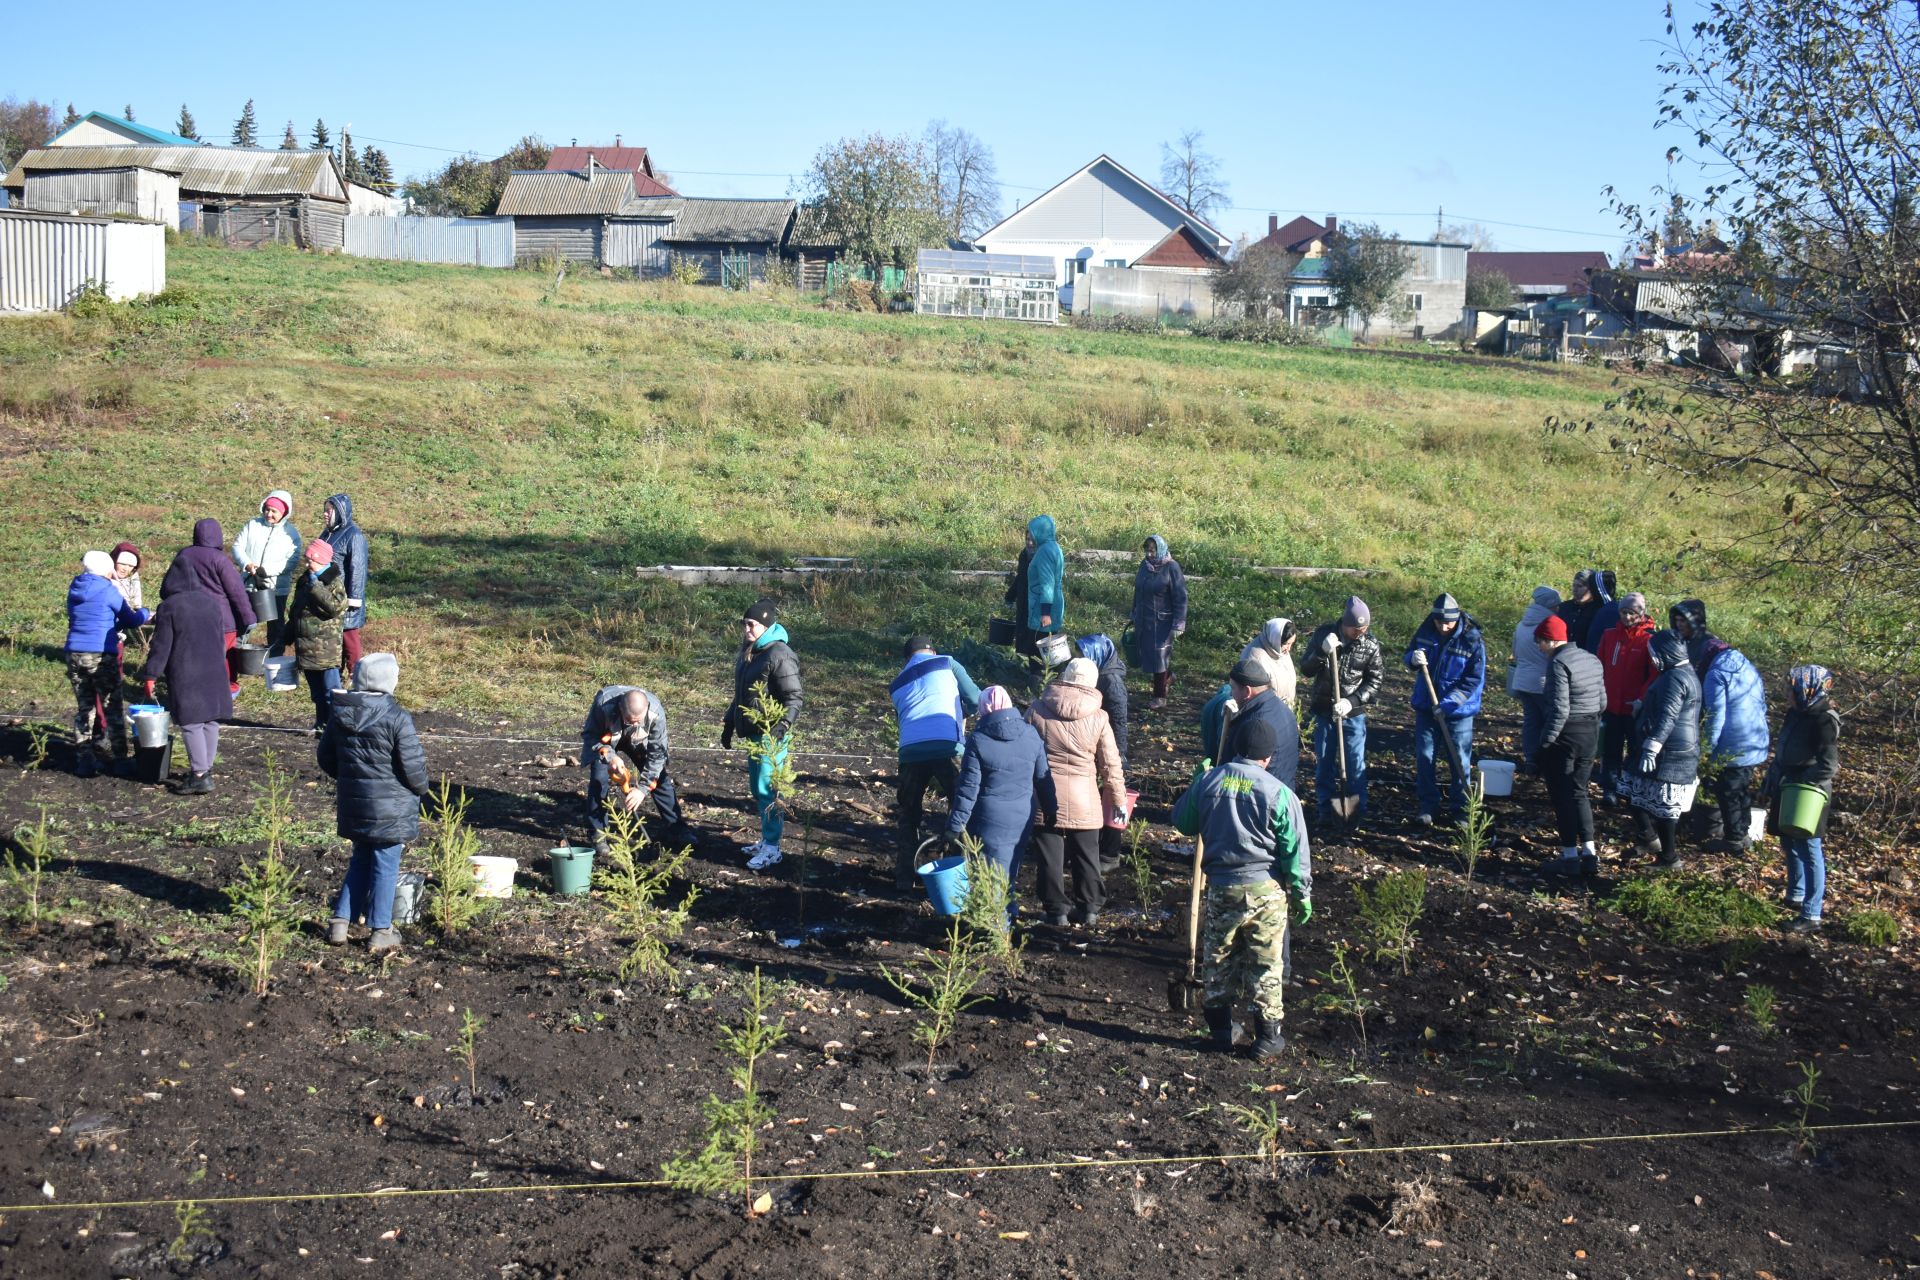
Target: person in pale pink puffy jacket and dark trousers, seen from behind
[1090,784]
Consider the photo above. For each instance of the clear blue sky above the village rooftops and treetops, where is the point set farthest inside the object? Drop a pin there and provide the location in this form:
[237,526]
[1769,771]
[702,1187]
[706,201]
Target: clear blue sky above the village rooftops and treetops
[1497,110]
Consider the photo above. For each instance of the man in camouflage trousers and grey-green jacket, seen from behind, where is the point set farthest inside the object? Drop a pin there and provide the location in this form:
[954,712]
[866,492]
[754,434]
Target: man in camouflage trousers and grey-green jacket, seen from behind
[1251,826]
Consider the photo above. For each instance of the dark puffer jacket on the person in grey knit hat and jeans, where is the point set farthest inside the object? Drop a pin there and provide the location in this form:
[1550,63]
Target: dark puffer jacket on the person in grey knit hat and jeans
[375,757]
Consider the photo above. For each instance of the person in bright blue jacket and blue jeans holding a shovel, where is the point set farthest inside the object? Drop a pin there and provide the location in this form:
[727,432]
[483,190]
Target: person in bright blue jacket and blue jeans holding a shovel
[1449,652]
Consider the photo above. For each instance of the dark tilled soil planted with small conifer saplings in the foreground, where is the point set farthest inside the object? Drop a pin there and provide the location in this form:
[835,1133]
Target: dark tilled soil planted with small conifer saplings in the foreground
[137,1066]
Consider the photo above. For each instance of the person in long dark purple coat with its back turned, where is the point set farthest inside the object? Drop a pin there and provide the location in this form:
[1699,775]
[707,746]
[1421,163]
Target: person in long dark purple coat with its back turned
[191,655]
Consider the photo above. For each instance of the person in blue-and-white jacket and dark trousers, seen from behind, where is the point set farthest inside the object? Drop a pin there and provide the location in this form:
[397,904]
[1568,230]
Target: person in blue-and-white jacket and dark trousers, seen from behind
[932,699]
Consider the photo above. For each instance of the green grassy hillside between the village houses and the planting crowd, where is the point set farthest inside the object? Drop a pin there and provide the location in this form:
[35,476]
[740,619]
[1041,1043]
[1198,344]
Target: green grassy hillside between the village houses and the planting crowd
[516,446]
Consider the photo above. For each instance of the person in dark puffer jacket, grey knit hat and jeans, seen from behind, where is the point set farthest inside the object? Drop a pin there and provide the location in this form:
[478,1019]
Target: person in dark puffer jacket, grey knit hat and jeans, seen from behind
[375,759]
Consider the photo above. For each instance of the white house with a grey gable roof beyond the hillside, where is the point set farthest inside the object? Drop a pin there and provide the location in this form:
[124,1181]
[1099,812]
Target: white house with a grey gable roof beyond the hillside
[1103,216]
